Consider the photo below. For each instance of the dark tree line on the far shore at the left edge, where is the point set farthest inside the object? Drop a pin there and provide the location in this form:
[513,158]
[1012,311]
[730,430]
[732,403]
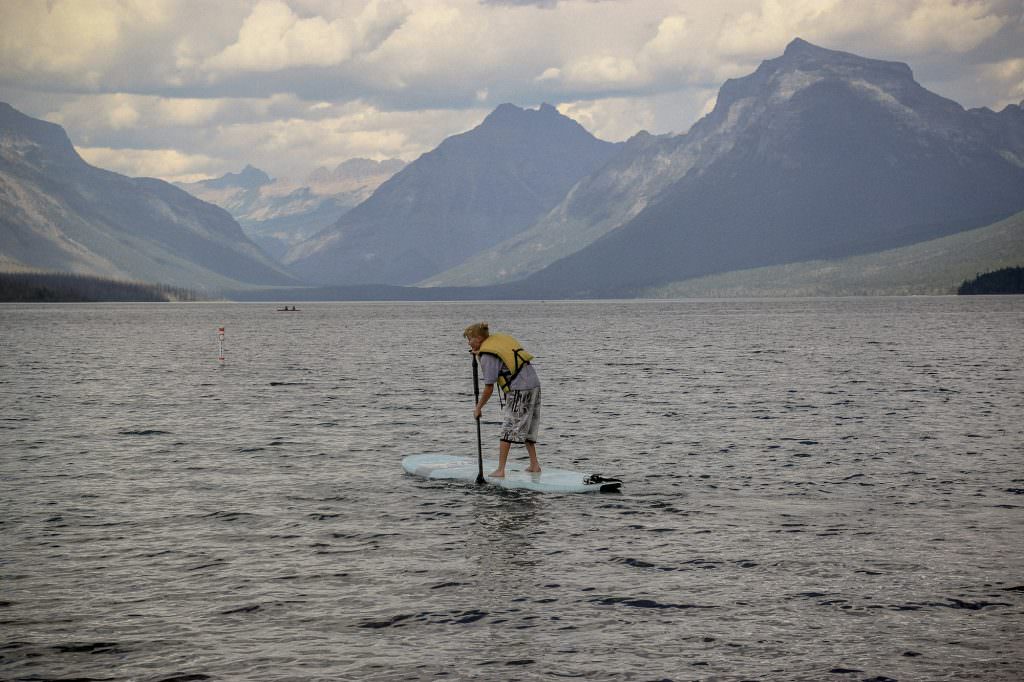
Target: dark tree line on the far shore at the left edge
[69,288]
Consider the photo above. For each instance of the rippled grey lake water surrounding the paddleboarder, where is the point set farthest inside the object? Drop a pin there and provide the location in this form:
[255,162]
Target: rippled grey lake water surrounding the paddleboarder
[816,490]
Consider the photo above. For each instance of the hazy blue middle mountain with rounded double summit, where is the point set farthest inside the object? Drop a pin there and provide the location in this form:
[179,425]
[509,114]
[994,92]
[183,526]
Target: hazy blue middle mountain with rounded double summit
[473,192]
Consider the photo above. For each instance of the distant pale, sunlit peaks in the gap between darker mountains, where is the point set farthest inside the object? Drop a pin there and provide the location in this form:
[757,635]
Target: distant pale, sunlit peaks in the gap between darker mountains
[277,215]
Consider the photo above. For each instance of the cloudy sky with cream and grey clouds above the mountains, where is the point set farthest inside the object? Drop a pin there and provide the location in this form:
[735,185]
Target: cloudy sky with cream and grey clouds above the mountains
[186,90]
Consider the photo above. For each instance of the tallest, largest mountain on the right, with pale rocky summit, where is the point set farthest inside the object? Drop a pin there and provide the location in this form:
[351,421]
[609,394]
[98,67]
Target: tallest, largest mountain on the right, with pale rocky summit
[817,155]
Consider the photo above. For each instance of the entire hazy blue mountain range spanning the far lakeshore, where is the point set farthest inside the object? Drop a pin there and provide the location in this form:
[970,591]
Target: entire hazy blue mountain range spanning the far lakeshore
[817,157]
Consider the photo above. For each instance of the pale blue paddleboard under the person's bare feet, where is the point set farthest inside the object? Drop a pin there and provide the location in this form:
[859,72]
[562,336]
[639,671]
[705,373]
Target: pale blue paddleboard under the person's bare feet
[453,467]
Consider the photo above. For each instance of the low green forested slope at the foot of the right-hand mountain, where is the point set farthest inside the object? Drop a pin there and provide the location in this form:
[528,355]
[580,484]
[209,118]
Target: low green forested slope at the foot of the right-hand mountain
[935,267]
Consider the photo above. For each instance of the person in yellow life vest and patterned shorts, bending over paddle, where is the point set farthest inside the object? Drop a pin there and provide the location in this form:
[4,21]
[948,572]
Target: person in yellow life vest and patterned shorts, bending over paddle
[504,362]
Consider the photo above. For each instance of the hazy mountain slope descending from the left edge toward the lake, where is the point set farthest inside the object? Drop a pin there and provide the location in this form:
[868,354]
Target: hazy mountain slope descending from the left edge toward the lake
[59,214]
